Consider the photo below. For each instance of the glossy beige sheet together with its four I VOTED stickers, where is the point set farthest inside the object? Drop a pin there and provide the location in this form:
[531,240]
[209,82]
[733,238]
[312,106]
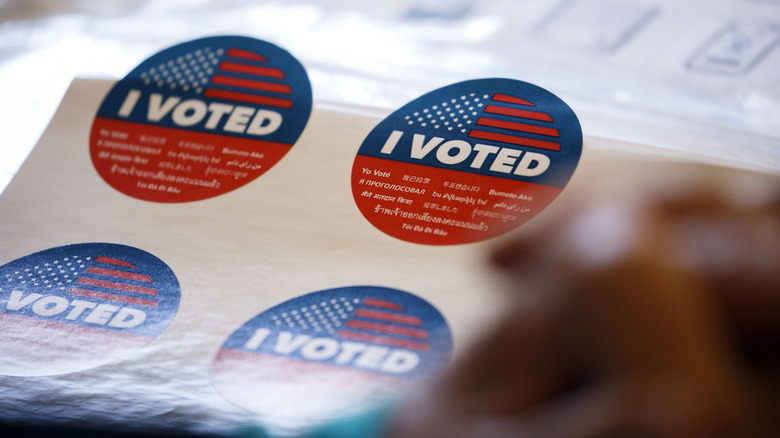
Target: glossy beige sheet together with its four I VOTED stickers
[196,237]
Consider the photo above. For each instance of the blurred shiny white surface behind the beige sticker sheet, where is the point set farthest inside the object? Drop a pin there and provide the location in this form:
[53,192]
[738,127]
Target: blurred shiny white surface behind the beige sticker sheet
[701,76]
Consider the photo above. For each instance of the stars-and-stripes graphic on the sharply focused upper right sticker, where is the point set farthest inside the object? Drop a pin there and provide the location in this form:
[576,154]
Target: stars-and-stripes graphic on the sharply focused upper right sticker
[499,118]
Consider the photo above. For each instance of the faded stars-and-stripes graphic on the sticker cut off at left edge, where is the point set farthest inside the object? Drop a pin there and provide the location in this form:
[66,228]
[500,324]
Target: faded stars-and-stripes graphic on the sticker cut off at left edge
[105,278]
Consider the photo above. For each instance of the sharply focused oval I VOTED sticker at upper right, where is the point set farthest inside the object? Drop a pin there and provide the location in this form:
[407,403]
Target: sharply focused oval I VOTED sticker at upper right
[466,162]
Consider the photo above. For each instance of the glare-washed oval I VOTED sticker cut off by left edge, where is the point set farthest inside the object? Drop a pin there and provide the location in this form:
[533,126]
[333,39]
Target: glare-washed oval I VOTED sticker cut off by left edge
[76,307]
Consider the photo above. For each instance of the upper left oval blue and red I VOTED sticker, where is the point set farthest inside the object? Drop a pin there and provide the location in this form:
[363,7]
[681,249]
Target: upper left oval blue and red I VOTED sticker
[200,119]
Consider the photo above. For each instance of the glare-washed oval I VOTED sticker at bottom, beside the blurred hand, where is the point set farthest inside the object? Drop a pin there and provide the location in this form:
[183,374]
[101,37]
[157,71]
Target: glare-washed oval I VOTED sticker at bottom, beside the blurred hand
[332,353]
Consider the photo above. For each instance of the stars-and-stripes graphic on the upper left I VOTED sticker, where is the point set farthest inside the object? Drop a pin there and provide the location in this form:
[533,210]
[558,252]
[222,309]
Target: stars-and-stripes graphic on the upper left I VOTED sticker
[231,74]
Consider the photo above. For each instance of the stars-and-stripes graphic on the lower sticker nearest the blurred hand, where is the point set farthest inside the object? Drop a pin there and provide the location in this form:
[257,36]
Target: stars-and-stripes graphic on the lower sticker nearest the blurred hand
[369,320]
